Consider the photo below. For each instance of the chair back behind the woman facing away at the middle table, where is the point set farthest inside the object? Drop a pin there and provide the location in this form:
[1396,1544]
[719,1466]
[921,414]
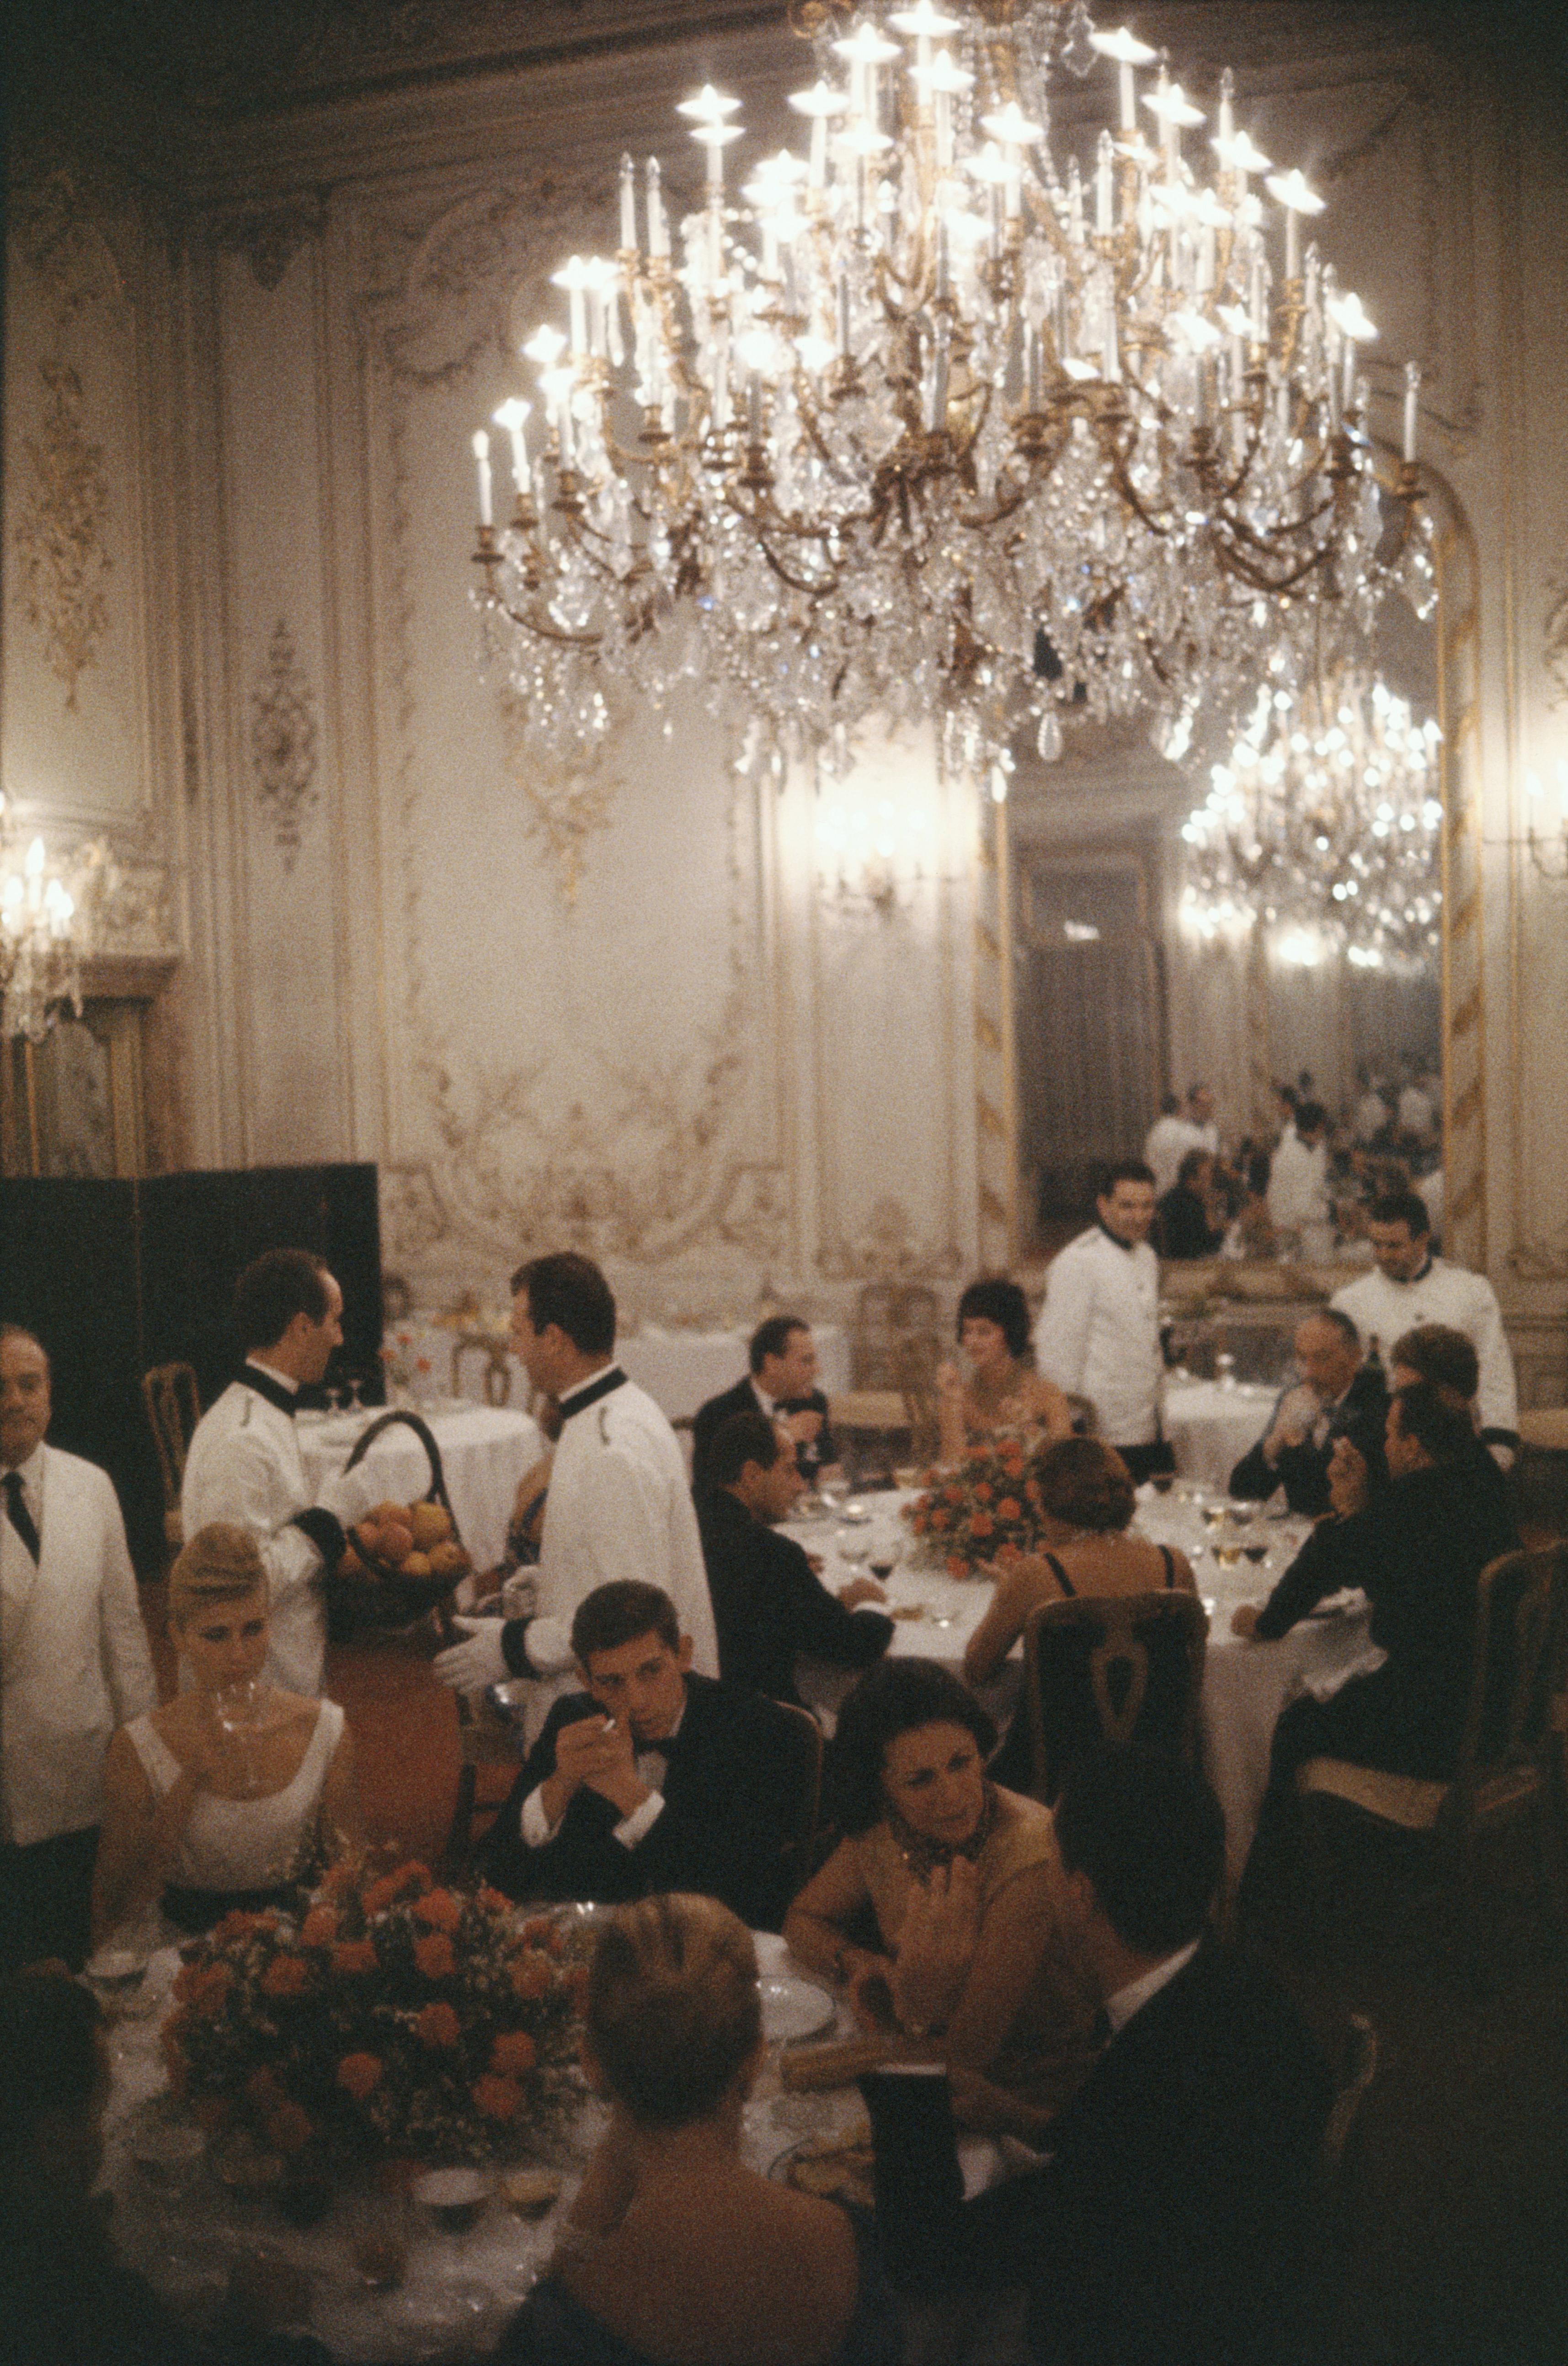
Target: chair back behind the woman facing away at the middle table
[1110,1669]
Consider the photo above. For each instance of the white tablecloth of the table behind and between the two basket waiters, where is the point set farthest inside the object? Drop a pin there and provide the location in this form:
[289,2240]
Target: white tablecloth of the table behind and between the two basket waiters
[484,1454]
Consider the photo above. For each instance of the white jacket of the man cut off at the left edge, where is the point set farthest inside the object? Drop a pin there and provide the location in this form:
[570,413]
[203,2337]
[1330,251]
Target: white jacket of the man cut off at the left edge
[74,1655]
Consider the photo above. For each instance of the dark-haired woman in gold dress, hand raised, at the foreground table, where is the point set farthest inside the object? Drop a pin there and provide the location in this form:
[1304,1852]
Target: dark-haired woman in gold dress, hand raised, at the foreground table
[957,1877]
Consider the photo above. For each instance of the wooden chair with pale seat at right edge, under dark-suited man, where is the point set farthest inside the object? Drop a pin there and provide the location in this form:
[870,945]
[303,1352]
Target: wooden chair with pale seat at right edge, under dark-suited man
[1510,1757]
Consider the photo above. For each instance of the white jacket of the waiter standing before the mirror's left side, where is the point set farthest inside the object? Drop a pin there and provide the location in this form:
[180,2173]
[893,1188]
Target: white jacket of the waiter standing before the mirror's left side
[1099,1333]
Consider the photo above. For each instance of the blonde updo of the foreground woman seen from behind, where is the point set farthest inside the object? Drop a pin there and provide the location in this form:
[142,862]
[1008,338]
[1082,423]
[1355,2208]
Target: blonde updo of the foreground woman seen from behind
[673,2010]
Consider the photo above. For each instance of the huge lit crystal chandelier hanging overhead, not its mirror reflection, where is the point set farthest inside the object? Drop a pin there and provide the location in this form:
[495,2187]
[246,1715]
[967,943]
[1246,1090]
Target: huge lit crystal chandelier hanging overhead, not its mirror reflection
[862,434]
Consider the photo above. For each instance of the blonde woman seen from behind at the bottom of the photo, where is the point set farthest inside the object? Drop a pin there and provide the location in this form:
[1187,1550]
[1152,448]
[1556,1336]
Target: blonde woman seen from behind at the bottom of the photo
[675,2251]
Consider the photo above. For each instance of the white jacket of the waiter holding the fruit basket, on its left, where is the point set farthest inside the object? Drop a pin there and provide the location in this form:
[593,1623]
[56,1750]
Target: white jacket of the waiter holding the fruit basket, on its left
[245,1468]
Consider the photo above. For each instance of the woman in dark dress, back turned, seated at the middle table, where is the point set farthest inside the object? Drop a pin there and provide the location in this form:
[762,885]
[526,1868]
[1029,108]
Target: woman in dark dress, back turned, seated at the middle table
[1087,1504]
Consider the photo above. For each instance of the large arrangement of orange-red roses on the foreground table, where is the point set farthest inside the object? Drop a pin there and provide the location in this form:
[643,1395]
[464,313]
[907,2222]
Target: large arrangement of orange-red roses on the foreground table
[396,2017]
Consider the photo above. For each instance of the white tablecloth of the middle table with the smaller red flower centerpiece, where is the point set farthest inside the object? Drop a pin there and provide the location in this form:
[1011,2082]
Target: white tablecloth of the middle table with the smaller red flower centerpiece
[1245,1683]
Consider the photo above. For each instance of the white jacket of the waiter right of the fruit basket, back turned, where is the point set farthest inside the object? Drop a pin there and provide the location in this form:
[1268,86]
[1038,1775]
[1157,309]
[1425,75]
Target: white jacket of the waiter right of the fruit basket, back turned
[618,1508]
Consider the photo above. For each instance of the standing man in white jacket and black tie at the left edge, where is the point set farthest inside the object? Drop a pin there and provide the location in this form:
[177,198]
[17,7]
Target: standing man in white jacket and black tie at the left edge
[74,1664]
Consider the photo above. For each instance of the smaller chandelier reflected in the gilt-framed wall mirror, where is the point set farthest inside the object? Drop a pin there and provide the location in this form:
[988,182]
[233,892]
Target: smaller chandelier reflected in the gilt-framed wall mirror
[1323,825]
